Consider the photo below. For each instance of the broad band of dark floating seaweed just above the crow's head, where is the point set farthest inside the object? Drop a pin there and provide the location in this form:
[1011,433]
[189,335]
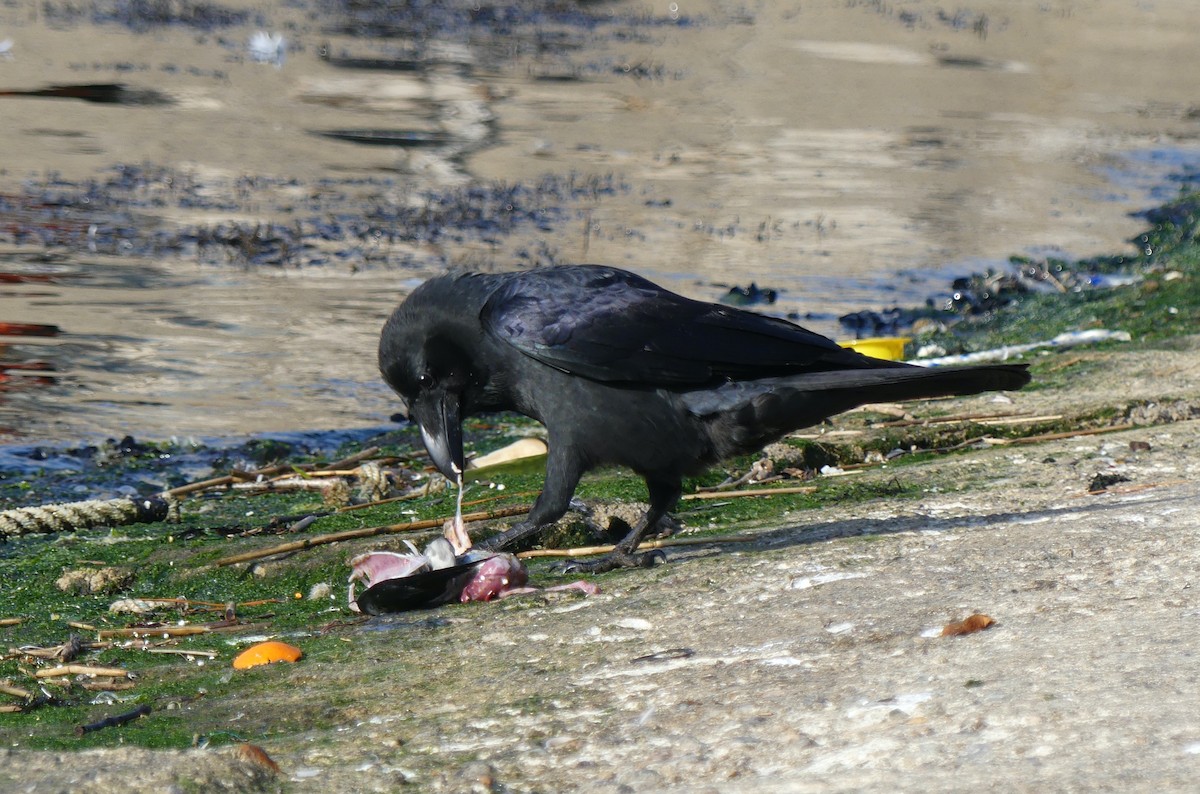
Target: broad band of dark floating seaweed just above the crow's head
[117,216]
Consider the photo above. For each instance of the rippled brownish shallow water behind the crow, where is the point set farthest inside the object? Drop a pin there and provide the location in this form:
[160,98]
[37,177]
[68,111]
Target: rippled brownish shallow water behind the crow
[851,154]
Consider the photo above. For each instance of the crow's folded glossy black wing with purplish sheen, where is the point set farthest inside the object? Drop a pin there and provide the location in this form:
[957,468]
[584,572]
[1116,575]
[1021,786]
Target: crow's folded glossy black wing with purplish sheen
[613,326]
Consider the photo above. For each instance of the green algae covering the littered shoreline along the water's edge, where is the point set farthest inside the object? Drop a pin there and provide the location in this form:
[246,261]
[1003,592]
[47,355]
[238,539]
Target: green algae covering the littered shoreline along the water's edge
[200,701]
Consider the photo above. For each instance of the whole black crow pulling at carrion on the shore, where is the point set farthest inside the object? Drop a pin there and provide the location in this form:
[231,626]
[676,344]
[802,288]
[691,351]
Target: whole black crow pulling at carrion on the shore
[625,372]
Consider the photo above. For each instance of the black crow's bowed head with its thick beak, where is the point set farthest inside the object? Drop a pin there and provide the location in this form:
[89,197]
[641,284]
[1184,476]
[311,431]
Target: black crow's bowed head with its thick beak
[424,356]
